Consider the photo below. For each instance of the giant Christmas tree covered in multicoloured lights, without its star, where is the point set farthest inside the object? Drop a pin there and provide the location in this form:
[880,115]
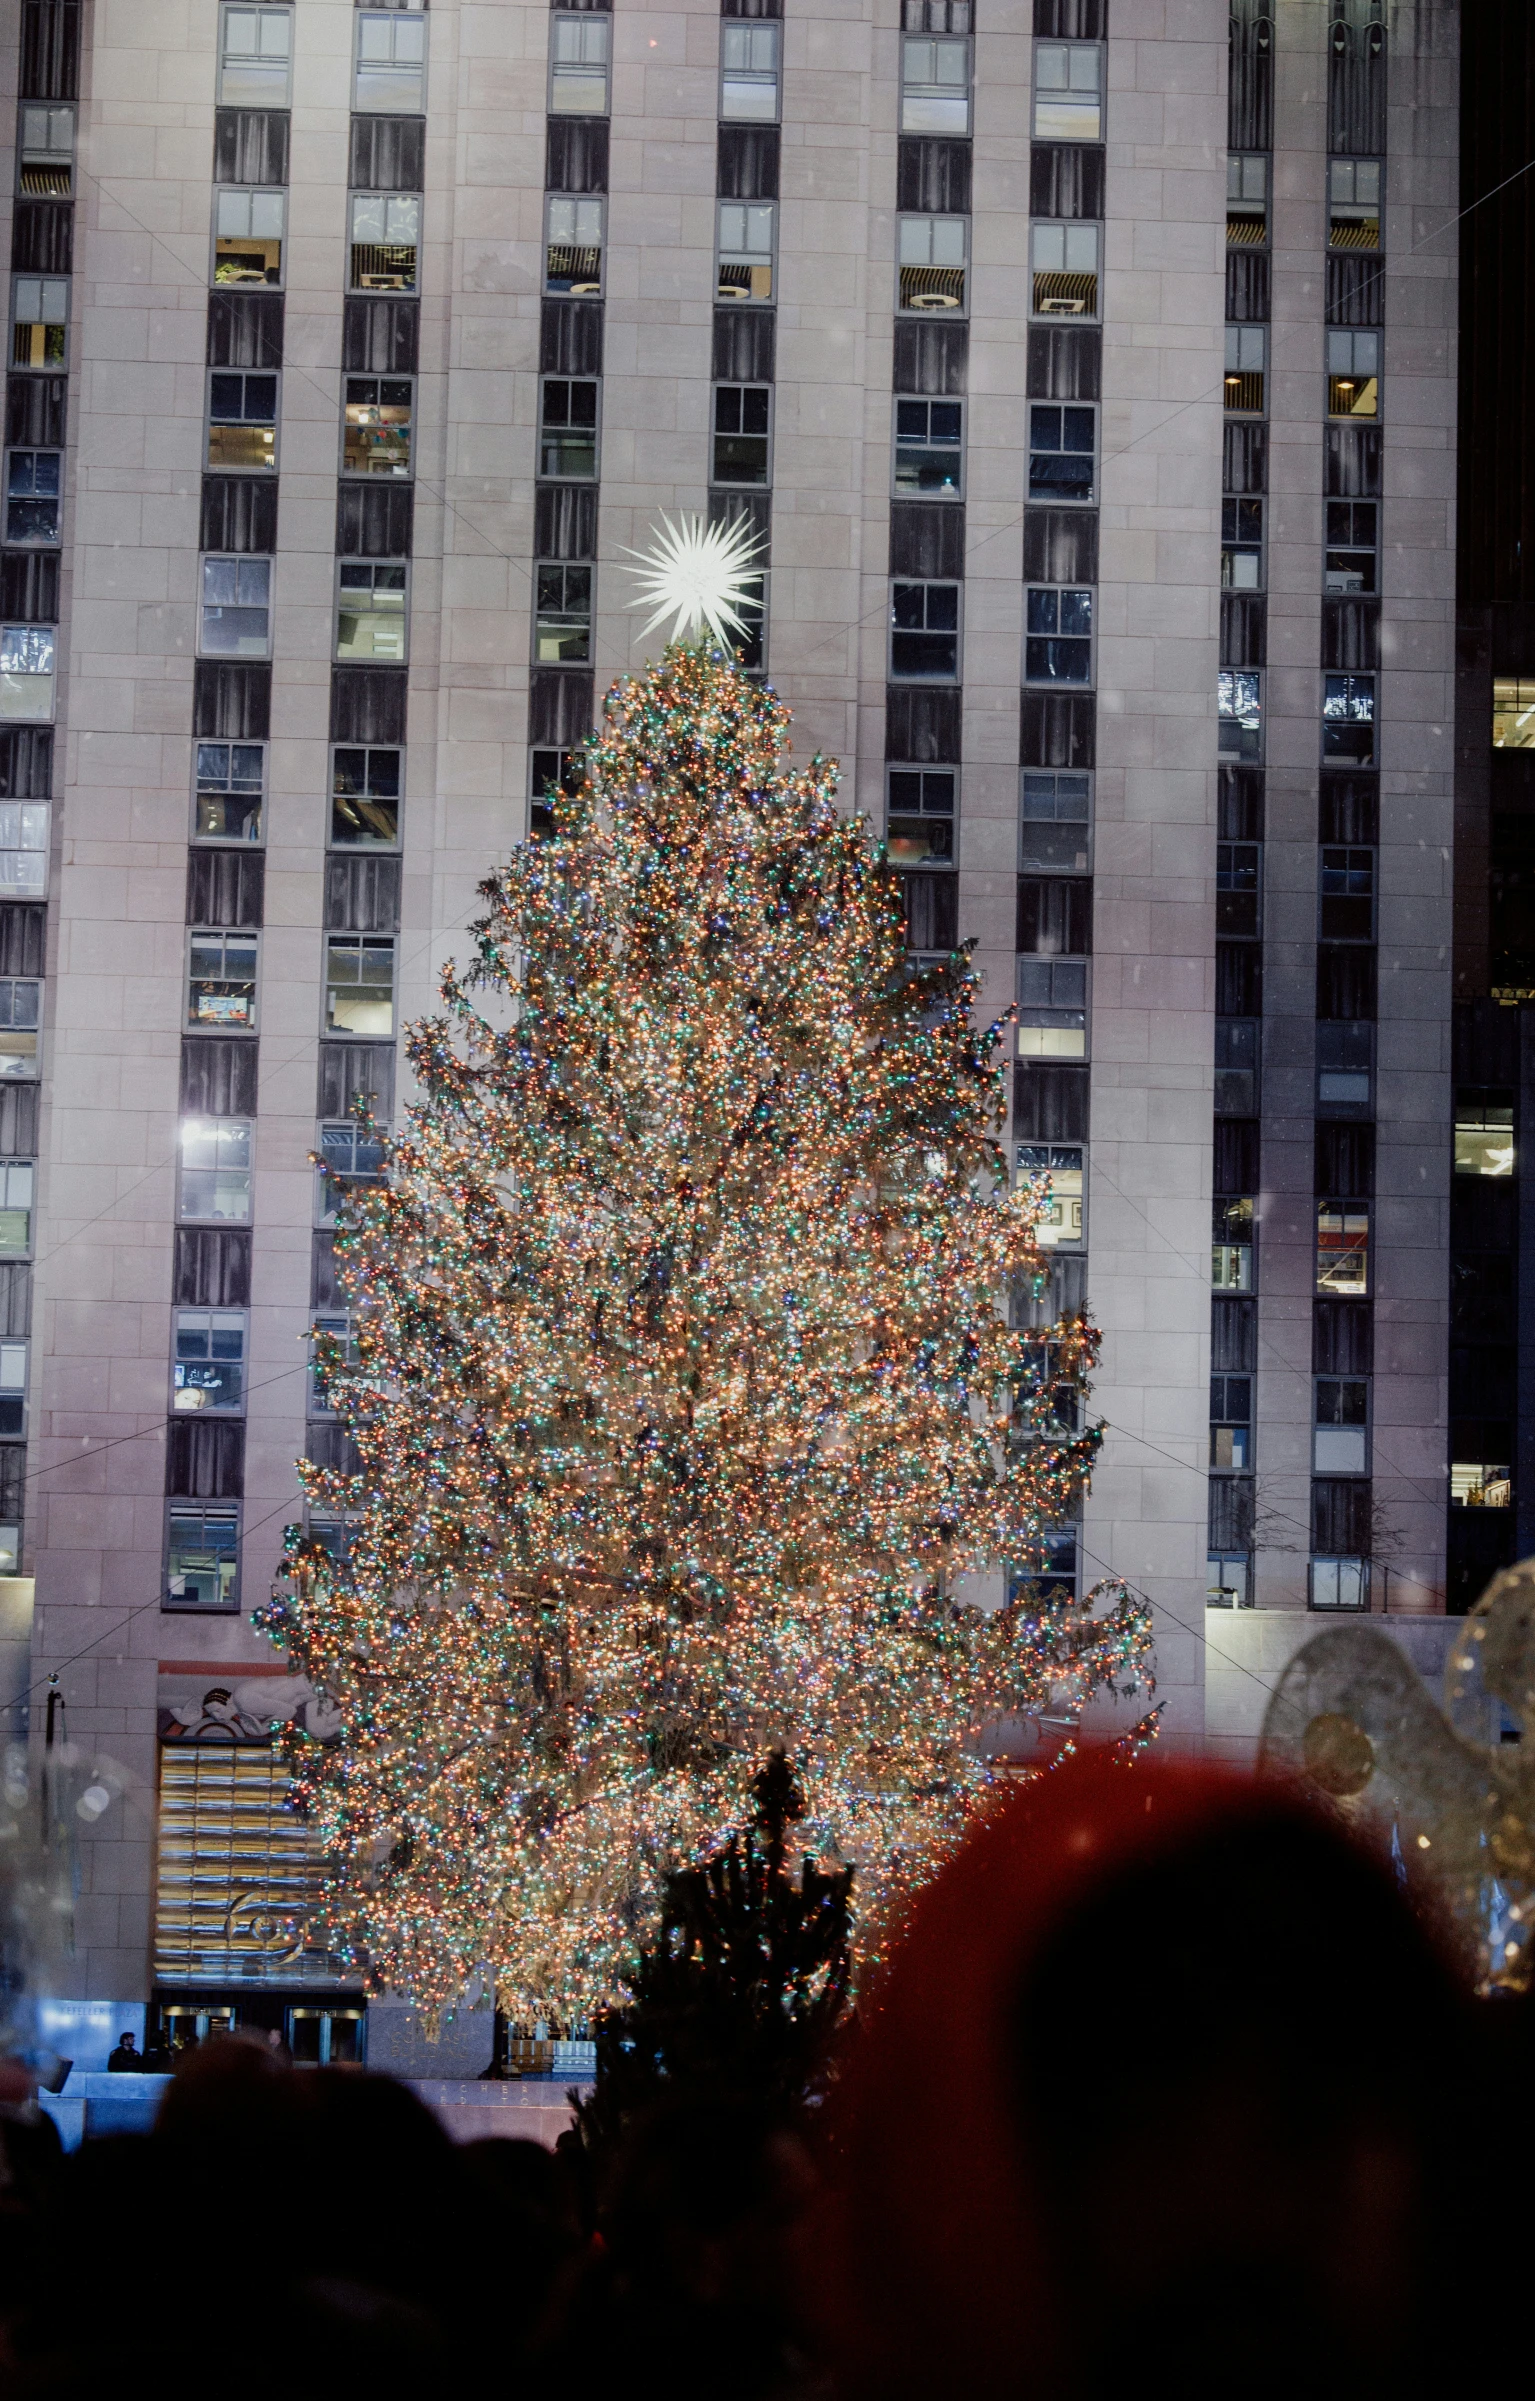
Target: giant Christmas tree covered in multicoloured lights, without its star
[683,1387]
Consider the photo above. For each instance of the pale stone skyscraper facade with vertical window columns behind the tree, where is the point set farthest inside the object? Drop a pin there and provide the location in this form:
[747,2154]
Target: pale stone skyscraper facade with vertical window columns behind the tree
[1087,373]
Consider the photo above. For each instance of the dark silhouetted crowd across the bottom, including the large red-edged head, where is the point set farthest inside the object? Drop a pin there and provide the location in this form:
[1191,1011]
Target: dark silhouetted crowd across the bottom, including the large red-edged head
[1166,2078]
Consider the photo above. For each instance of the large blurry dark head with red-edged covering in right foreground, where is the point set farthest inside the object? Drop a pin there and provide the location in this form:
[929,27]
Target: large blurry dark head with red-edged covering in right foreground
[1161,2080]
